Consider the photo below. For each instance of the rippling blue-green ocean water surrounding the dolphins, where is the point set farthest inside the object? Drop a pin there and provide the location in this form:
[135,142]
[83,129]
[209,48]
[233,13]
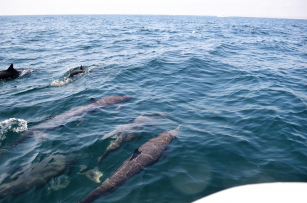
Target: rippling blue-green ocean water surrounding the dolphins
[236,85]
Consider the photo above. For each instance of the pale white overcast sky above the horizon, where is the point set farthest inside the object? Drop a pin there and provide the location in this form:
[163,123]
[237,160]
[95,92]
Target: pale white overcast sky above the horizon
[247,8]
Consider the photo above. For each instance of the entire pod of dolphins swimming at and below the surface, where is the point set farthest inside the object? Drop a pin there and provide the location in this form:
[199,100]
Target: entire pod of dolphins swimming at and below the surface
[39,174]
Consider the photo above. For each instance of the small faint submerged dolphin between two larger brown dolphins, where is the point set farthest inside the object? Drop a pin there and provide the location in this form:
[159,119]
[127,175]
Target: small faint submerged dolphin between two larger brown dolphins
[124,136]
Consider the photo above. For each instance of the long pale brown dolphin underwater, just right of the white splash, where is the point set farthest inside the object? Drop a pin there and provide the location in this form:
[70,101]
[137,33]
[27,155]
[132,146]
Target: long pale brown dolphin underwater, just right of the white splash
[70,115]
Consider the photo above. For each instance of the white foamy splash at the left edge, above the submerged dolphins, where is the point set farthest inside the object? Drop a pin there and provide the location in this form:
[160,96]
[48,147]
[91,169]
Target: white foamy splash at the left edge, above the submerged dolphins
[12,124]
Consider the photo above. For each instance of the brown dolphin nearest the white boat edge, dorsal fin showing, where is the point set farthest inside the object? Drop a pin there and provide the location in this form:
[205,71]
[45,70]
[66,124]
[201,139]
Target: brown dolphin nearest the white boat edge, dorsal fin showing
[148,154]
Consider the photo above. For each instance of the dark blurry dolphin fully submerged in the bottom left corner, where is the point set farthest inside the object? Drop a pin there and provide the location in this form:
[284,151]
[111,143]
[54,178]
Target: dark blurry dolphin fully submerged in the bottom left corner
[39,174]
